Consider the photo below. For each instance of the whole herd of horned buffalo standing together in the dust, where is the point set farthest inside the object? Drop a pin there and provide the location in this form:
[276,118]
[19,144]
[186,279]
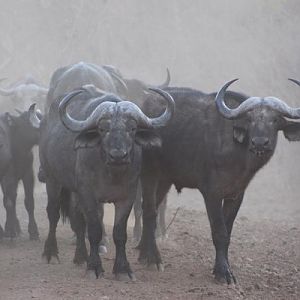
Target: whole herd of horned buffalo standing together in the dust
[104,138]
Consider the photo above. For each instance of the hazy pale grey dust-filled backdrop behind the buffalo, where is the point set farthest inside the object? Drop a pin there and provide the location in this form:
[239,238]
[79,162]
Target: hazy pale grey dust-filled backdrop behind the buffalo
[203,43]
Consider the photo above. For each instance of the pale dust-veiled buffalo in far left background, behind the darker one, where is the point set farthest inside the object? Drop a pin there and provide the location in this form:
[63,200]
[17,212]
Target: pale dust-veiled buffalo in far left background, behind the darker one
[23,93]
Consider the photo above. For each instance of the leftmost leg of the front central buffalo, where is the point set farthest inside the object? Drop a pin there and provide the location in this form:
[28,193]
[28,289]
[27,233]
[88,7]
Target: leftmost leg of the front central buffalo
[54,198]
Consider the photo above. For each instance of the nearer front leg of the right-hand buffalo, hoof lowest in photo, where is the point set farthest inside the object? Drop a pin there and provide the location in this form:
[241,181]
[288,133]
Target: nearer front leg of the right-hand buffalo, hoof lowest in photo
[220,238]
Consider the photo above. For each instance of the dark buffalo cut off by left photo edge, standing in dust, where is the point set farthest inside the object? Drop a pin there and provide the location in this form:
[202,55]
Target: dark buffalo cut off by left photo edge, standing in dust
[18,136]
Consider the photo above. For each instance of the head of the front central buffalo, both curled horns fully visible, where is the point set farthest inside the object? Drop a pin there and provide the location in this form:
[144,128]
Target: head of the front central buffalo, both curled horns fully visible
[116,125]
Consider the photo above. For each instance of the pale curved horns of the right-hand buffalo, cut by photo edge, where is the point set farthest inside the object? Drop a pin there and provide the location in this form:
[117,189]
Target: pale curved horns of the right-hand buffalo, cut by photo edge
[252,102]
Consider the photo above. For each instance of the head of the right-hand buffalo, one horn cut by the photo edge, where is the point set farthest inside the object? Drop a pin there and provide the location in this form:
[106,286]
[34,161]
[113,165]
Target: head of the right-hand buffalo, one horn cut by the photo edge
[257,121]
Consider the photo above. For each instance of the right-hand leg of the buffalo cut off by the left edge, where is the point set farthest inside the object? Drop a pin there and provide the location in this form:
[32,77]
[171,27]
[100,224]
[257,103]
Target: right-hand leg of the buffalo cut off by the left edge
[28,183]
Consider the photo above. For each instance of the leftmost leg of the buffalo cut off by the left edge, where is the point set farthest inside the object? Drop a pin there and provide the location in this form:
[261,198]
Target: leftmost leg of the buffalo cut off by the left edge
[9,187]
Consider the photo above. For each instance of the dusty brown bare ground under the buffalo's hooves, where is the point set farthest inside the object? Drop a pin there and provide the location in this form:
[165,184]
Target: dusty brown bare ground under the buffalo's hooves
[265,258]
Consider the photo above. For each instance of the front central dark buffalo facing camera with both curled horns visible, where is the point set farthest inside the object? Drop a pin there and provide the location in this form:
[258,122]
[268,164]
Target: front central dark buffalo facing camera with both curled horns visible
[97,157]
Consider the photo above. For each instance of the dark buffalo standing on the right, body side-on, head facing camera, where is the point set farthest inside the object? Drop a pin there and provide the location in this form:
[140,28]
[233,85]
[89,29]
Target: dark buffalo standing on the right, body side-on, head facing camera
[217,150]
